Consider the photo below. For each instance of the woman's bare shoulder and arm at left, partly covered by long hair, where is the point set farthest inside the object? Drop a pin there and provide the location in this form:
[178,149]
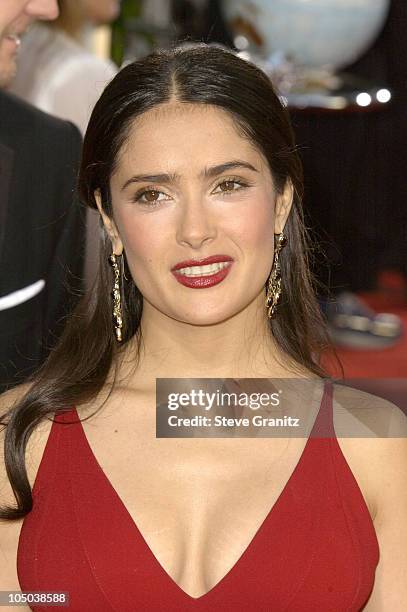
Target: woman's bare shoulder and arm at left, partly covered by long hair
[10,530]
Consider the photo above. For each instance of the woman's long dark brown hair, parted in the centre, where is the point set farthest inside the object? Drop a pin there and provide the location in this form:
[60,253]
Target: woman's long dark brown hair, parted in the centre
[87,352]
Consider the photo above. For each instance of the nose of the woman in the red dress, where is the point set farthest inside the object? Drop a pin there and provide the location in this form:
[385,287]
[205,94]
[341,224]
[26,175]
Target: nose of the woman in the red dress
[195,225]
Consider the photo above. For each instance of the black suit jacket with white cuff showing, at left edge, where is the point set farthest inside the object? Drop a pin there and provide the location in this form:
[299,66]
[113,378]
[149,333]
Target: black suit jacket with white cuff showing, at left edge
[42,234]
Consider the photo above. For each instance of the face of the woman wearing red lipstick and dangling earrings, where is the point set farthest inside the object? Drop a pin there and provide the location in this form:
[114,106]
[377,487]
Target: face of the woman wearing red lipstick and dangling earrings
[199,210]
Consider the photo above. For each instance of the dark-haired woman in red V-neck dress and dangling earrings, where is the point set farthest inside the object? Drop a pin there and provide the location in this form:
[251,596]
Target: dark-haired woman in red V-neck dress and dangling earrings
[189,154]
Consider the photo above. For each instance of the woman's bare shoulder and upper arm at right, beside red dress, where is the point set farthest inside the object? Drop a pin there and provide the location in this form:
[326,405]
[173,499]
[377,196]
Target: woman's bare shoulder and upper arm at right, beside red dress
[379,464]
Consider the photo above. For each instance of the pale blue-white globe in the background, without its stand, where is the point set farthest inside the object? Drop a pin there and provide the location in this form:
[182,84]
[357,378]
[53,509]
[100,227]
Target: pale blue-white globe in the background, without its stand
[313,33]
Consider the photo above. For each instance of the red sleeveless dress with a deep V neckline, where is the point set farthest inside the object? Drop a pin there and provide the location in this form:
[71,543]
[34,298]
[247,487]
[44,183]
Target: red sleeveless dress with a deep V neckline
[316,550]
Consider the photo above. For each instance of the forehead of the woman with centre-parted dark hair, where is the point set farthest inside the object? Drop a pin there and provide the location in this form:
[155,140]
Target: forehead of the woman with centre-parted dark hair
[182,137]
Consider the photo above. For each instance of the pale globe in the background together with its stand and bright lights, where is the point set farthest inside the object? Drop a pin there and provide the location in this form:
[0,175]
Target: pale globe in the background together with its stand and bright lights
[302,44]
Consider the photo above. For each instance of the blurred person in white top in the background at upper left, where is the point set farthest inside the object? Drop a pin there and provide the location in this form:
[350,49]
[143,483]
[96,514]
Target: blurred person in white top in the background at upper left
[56,72]
